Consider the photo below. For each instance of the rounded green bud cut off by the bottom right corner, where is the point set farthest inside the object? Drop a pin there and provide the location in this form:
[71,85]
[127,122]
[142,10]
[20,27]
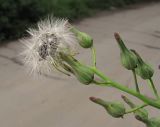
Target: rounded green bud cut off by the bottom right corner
[153,122]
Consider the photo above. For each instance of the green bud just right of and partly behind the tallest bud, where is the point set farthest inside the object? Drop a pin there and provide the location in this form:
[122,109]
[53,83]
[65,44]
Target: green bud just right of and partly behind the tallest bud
[144,70]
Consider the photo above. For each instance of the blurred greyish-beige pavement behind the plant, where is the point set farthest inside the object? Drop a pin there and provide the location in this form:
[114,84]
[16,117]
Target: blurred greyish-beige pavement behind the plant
[60,101]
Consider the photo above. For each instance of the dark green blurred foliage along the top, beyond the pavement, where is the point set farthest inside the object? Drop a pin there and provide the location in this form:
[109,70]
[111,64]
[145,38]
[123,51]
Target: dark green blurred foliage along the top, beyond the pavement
[17,15]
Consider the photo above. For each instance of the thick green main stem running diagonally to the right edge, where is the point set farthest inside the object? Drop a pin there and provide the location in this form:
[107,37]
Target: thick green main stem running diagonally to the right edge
[154,103]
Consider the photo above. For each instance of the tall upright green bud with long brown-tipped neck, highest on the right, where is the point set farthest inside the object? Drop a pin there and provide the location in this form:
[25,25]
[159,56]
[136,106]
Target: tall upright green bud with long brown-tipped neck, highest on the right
[128,58]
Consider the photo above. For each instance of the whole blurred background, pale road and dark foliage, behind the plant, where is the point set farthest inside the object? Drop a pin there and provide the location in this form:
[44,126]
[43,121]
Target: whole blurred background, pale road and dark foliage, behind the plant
[60,101]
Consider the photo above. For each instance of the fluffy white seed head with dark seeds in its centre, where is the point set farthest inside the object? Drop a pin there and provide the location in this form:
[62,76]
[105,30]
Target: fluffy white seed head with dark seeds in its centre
[42,49]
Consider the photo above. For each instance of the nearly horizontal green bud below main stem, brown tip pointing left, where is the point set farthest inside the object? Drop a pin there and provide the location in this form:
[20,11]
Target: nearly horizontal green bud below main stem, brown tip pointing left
[116,110]
